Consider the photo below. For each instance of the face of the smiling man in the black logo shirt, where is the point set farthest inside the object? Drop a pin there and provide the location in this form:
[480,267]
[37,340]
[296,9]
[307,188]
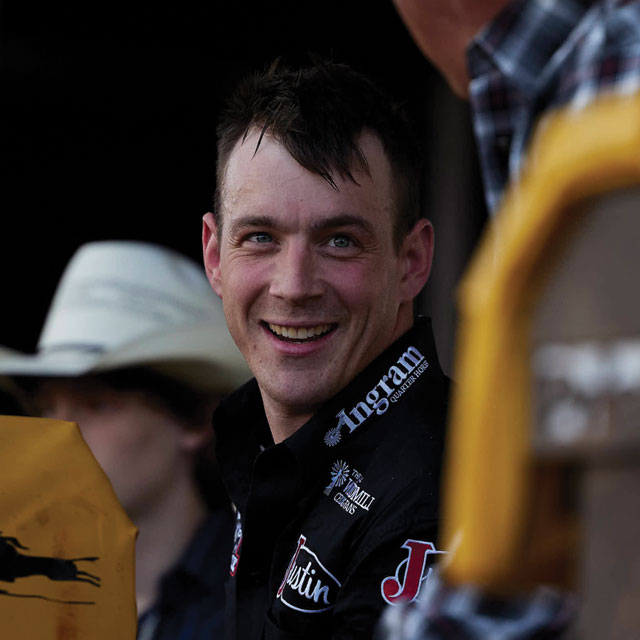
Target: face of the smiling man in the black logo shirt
[312,287]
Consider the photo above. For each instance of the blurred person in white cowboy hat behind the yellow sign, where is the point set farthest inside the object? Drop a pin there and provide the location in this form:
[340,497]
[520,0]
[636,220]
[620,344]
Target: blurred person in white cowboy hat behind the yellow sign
[136,351]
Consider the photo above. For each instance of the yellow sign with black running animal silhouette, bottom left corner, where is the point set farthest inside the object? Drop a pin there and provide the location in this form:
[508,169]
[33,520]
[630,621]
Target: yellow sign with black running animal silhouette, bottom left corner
[66,545]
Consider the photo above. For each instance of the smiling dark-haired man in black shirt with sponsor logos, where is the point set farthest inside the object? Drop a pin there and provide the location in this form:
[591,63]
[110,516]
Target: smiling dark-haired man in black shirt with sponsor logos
[332,454]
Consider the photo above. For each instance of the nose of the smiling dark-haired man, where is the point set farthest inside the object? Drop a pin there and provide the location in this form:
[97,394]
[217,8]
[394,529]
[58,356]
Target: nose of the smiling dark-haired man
[296,275]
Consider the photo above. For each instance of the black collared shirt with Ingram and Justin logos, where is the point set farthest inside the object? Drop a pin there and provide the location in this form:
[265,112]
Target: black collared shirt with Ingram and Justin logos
[340,518]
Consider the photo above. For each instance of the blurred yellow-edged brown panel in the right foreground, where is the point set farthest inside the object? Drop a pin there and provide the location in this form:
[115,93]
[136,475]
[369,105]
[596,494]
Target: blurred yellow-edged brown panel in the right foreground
[544,461]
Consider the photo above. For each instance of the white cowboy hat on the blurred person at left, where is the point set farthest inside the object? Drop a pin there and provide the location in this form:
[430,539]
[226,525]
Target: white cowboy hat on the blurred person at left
[130,304]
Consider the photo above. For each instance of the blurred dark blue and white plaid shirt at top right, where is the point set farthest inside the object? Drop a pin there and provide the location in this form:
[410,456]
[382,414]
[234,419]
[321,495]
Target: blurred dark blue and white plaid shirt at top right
[541,54]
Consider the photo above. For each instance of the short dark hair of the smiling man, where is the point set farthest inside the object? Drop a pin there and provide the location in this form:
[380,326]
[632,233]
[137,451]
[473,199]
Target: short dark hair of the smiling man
[317,114]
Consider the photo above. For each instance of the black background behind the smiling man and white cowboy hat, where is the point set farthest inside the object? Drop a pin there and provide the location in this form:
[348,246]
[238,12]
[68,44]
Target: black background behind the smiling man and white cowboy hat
[107,128]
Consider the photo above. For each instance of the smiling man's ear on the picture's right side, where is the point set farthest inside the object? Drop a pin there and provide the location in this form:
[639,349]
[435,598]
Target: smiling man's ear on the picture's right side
[416,256]
